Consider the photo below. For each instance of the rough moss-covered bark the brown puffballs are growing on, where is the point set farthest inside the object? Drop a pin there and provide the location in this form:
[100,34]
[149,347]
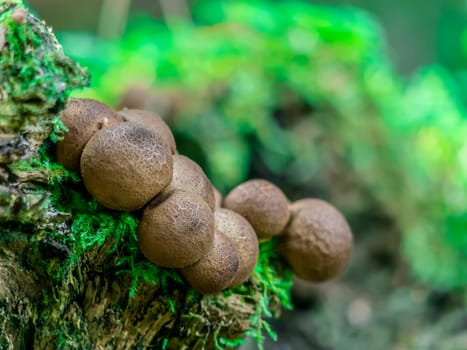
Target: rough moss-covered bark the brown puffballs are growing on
[54,294]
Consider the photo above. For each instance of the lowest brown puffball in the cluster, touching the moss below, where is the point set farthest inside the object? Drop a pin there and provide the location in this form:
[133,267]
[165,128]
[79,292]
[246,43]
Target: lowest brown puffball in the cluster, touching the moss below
[215,271]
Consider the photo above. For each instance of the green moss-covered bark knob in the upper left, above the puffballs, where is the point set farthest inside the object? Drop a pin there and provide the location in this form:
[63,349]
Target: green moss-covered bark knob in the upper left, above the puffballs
[36,76]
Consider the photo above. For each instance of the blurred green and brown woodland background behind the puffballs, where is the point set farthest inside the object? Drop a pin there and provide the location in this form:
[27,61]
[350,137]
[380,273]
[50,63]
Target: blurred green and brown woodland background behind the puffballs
[361,103]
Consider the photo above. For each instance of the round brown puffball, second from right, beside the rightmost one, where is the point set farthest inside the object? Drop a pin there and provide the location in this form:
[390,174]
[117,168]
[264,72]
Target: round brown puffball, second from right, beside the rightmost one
[263,204]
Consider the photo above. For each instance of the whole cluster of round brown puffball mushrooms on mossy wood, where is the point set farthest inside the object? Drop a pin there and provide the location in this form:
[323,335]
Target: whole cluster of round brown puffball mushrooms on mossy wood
[128,161]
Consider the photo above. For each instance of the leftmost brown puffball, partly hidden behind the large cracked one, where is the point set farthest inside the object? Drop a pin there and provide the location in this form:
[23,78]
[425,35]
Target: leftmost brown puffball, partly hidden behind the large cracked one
[83,118]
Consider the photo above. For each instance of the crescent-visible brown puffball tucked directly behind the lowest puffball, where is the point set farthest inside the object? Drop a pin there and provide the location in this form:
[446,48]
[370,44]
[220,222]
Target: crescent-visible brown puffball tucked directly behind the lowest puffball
[236,228]
